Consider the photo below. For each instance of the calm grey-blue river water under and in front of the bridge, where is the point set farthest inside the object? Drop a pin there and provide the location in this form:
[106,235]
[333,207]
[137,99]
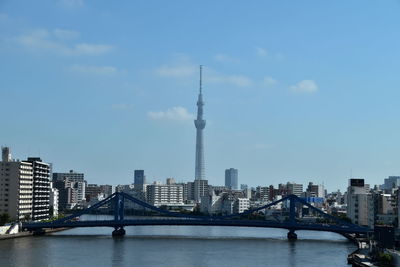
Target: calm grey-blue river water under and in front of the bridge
[177,246]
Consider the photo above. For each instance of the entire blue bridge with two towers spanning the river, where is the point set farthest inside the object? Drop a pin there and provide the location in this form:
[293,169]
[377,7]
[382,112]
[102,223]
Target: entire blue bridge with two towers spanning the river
[159,216]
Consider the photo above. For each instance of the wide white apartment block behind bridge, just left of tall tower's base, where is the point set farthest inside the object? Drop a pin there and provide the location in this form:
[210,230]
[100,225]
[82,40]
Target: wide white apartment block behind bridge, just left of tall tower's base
[162,194]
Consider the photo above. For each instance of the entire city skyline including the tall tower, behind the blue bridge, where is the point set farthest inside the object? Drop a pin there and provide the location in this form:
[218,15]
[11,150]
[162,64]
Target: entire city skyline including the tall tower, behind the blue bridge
[31,191]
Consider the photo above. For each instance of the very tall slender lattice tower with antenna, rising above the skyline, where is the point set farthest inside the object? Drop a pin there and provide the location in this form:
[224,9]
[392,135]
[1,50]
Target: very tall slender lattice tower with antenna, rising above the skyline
[200,124]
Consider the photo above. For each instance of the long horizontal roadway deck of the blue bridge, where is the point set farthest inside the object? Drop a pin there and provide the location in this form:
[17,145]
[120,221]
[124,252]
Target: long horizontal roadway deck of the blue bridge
[341,229]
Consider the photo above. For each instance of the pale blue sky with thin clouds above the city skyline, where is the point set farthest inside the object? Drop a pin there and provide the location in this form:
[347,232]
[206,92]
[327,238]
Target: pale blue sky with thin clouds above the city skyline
[294,90]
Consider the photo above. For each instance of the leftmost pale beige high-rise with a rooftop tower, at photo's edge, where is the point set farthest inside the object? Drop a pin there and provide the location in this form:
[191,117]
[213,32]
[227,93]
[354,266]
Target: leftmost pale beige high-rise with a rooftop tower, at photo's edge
[16,187]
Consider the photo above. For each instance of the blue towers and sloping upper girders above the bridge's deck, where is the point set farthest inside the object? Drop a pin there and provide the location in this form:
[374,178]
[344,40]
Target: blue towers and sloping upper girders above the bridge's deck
[287,217]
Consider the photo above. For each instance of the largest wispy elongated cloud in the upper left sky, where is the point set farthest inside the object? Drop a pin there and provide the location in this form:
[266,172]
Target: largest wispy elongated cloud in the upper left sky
[45,41]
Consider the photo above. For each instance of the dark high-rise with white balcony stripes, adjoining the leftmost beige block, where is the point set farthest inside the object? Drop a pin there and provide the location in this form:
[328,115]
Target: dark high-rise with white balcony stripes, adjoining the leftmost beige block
[41,189]
